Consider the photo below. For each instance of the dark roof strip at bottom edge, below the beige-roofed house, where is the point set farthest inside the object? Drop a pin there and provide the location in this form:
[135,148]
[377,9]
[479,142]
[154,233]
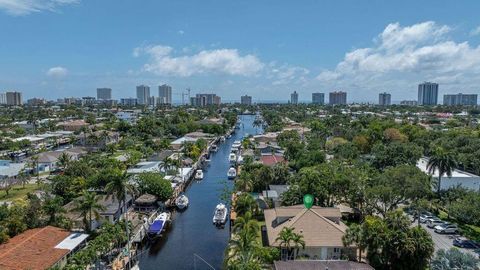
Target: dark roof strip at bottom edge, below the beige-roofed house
[320,265]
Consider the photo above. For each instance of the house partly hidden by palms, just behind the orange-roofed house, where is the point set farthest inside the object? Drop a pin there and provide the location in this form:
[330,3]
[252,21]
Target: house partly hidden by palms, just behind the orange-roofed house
[112,210]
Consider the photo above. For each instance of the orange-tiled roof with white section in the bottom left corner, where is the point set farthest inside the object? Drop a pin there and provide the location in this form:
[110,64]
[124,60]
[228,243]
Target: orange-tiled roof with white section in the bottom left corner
[40,248]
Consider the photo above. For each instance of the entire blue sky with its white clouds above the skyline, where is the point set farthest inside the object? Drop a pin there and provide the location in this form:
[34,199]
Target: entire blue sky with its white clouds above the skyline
[268,49]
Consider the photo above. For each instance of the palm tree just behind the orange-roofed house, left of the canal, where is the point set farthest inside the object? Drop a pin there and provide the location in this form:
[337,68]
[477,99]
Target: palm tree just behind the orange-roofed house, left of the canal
[88,206]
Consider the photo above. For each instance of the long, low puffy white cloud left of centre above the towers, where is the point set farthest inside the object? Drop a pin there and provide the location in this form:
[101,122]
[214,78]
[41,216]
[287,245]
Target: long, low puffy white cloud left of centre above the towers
[164,61]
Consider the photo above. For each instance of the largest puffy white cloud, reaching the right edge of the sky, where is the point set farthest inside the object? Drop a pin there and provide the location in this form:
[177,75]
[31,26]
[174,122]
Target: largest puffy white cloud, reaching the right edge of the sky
[419,52]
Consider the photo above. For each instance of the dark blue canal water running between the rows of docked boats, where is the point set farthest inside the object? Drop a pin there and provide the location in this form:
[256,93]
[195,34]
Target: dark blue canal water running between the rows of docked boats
[192,236]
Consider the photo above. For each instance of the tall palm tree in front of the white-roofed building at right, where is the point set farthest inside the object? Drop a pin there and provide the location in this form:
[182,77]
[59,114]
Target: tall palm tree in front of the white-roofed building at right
[443,161]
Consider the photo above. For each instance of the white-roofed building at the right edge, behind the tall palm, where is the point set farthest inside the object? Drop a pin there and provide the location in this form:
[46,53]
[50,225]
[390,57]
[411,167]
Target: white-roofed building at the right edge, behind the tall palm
[459,177]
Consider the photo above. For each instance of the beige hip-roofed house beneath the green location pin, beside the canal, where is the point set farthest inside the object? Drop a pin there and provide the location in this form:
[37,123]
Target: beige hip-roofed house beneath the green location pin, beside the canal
[321,228]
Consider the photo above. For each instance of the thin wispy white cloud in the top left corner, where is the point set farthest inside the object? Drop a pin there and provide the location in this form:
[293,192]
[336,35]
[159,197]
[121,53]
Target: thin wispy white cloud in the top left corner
[25,7]
